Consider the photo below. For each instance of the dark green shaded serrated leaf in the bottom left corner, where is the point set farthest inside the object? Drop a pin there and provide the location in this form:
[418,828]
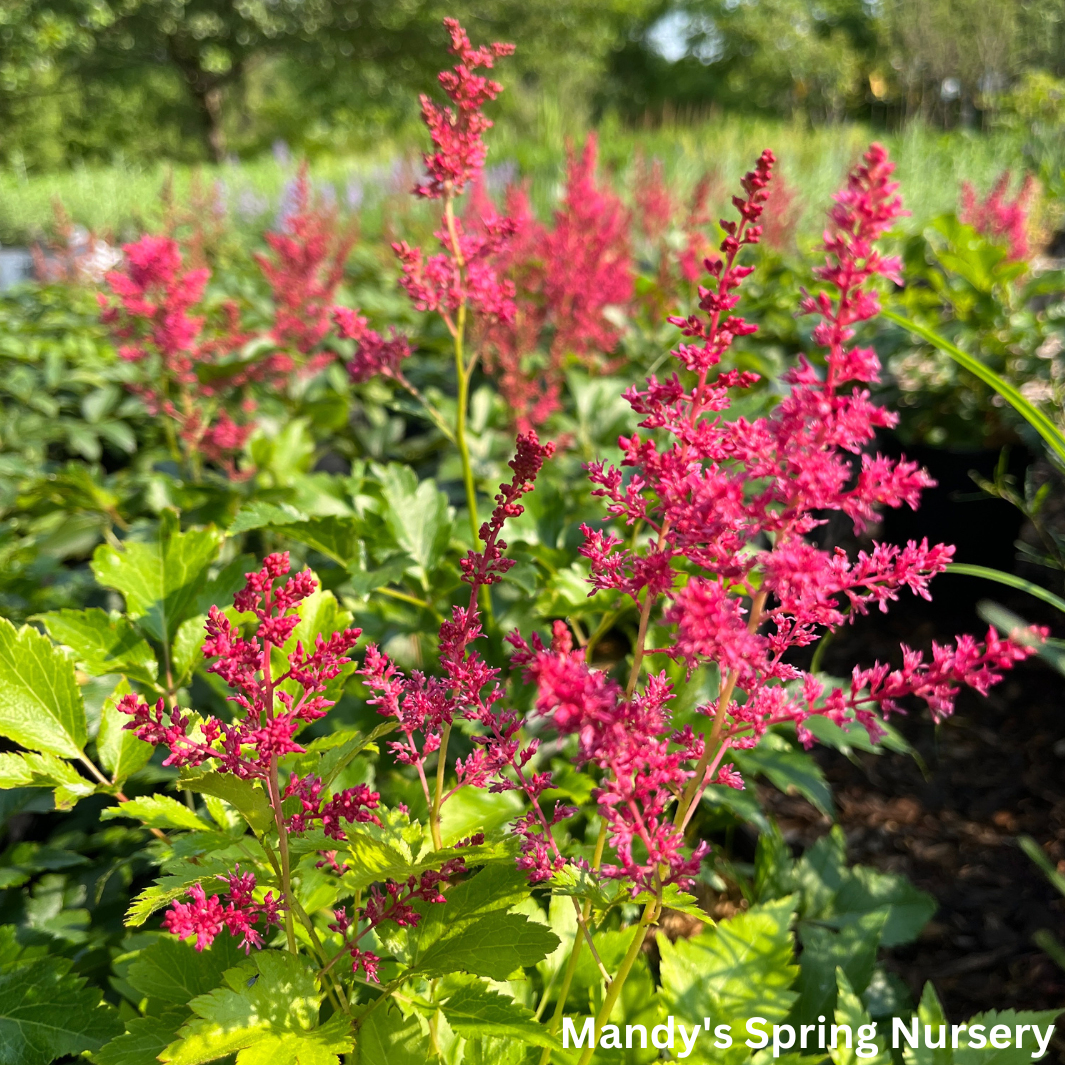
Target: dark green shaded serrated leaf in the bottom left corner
[46,1013]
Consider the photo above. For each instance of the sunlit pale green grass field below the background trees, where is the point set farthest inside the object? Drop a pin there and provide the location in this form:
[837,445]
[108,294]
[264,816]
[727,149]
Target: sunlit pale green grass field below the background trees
[122,201]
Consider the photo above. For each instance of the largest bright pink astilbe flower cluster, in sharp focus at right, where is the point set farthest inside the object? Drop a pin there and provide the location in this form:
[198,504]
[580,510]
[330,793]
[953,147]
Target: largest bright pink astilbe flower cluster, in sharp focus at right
[730,505]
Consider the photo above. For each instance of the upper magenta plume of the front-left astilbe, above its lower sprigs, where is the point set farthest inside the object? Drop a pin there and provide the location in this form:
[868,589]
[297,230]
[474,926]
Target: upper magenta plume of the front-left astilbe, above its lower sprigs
[273,713]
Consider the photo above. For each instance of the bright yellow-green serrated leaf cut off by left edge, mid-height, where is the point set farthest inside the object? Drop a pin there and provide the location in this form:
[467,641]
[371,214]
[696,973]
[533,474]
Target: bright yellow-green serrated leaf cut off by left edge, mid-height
[41,706]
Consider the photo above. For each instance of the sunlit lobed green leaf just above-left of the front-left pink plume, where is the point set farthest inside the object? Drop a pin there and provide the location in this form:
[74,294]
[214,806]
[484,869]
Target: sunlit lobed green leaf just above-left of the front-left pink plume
[162,580]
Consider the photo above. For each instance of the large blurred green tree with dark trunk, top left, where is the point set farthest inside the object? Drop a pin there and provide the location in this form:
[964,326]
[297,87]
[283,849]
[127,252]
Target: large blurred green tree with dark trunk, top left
[185,67]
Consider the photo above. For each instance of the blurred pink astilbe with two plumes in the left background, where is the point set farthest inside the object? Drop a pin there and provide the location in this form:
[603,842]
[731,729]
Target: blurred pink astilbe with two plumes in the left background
[193,373]
